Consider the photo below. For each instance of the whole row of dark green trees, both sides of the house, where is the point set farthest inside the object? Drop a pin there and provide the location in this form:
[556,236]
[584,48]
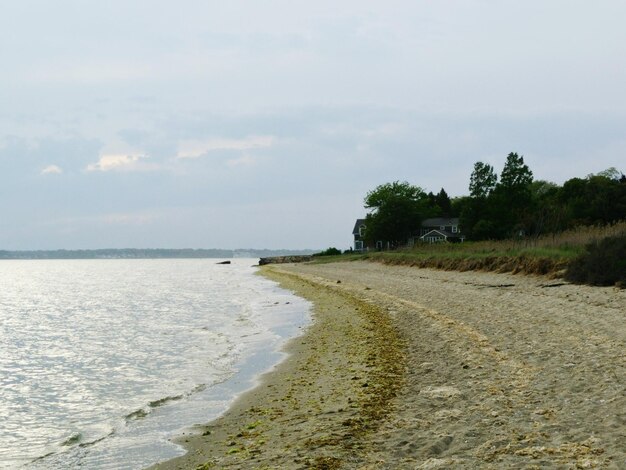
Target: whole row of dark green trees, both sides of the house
[511,204]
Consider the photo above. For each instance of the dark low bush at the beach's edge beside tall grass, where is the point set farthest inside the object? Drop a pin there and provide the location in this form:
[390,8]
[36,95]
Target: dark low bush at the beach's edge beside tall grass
[604,264]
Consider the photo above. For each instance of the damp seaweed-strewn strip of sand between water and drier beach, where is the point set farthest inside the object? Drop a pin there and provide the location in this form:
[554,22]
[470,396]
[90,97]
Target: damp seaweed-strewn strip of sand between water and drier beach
[314,408]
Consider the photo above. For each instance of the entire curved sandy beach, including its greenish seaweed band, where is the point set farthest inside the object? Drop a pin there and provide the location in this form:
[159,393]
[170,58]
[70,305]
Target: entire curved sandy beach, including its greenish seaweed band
[415,368]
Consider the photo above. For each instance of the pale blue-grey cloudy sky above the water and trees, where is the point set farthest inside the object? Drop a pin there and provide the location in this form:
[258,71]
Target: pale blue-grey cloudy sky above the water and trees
[249,124]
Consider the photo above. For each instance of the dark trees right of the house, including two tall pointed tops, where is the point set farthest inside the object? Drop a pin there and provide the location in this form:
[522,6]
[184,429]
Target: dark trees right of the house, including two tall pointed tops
[516,205]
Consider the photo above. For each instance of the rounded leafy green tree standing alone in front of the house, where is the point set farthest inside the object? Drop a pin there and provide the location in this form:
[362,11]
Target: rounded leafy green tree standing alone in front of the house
[396,212]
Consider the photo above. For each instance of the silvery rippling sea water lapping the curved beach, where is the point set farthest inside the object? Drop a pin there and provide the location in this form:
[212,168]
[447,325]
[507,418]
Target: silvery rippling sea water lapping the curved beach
[103,362]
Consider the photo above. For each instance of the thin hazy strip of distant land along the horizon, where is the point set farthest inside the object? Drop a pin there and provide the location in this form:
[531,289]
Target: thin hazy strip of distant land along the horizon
[148,253]
